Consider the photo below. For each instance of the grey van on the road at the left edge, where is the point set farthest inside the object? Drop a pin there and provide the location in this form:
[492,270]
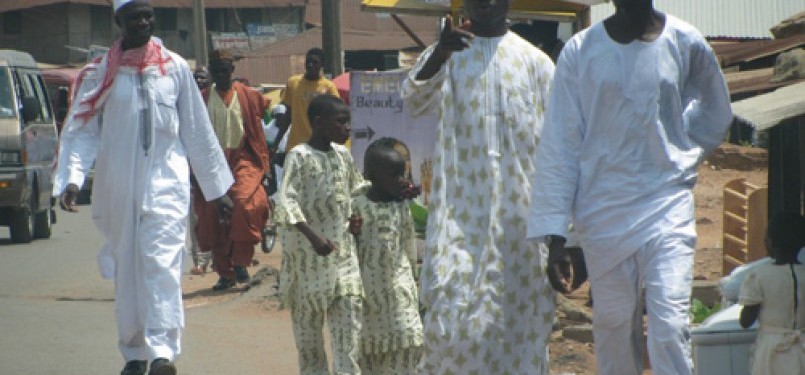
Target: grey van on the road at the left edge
[28,144]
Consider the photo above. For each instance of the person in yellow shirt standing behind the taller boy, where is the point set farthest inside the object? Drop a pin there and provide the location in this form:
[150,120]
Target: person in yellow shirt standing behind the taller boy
[300,90]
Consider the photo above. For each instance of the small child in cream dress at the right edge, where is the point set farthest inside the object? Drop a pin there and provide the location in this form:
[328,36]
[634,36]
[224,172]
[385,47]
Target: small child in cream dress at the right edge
[774,294]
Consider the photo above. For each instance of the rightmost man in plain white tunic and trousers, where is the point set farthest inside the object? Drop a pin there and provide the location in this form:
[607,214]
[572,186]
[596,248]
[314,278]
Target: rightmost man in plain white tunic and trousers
[637,102]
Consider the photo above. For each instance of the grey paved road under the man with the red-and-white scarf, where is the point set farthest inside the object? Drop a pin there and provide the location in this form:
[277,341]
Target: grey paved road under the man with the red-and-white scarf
[57,314]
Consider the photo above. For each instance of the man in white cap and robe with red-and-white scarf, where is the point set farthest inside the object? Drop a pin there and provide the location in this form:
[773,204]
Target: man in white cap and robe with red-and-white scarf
[139,116]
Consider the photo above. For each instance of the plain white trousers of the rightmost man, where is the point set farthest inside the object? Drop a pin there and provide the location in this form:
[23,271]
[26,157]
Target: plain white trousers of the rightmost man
[664,267]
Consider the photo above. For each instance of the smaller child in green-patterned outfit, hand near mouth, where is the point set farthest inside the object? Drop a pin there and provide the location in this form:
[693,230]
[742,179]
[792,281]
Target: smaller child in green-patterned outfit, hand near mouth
[392,329]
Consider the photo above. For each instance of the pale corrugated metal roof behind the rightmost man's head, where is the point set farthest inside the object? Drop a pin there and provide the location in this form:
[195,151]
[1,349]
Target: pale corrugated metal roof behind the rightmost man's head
[733,18]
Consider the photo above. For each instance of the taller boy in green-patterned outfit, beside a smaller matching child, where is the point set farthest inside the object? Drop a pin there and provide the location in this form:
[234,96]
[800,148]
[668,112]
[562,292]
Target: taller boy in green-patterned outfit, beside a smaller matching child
[320,275]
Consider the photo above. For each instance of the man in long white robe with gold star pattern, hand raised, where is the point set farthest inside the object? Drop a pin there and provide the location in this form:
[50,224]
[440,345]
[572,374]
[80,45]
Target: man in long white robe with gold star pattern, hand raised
[488,306]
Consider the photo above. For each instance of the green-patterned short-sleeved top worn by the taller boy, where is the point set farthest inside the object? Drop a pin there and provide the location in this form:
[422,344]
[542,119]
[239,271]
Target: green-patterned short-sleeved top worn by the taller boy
[316,189]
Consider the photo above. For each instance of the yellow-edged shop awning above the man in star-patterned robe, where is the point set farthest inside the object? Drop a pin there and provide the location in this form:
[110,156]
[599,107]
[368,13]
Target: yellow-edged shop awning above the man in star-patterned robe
[548,9]
